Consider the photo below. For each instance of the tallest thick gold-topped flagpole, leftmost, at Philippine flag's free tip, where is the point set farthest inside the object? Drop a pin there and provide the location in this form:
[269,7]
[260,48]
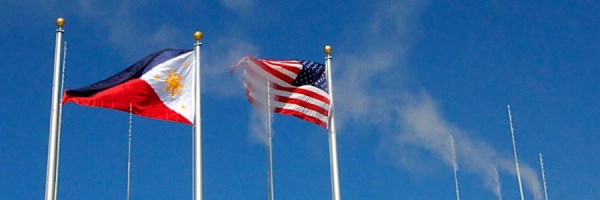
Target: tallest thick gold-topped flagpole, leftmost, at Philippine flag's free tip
[51,167]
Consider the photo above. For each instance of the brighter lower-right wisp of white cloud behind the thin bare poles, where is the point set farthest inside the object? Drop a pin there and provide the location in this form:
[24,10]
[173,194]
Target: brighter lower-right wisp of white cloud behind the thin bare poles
[424,127]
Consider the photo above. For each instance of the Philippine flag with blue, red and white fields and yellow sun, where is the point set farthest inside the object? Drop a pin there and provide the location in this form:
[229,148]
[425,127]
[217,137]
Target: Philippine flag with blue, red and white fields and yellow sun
[159,86]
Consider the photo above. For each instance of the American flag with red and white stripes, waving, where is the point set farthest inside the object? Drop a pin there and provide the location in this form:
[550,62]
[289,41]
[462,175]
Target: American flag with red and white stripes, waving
[289,87]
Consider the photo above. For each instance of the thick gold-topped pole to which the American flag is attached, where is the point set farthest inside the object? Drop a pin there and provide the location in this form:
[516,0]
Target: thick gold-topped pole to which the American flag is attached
[335,180]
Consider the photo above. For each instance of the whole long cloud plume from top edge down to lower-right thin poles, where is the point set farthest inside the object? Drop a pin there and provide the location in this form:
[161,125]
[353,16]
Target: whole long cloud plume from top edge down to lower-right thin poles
[376,80]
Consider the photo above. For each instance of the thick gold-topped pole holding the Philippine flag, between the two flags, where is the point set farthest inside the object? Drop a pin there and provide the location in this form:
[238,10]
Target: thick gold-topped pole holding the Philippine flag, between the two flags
[197,121]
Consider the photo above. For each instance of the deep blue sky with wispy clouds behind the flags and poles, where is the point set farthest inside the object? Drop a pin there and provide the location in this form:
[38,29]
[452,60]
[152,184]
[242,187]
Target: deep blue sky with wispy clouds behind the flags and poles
[407,76]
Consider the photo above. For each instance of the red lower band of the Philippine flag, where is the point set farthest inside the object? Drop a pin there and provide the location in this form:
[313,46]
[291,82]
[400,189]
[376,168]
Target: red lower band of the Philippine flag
[143,98]
